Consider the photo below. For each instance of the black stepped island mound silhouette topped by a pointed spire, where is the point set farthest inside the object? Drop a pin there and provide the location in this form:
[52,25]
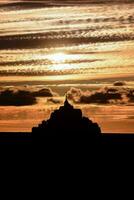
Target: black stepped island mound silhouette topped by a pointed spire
[67,121]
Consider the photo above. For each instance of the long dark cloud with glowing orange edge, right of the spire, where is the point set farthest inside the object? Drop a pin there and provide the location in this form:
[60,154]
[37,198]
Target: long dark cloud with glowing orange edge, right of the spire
[107,95]
